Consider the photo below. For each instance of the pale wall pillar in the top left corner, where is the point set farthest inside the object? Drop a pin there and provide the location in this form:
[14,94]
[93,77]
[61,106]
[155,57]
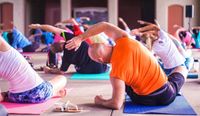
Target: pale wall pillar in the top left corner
[18,13]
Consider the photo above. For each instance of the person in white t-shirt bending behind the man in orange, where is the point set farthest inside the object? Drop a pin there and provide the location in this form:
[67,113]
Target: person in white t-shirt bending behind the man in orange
[168,49]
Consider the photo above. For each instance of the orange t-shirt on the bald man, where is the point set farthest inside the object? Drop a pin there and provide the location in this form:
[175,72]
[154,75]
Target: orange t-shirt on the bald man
[136,66]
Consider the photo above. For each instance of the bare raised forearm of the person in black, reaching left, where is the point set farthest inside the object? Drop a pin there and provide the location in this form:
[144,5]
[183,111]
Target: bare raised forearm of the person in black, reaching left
[48,28]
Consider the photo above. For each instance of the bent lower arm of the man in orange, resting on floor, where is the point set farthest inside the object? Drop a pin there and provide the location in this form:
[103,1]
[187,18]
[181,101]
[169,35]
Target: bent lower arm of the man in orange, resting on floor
[117,96]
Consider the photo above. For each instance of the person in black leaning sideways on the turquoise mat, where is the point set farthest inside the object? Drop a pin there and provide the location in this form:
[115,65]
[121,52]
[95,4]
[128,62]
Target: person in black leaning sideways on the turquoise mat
[80,58]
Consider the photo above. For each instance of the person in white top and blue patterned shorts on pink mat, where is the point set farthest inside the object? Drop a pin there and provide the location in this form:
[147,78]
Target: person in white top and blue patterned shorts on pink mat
[25,85]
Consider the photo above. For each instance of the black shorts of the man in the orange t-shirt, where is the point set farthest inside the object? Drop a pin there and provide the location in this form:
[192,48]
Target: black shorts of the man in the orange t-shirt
[163,96]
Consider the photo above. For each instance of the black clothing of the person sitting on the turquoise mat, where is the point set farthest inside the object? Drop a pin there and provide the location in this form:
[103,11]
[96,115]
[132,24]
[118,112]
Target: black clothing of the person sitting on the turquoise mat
[80,58]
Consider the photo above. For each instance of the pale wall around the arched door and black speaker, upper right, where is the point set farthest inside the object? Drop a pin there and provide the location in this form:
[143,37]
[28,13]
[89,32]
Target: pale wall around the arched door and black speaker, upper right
[162,12]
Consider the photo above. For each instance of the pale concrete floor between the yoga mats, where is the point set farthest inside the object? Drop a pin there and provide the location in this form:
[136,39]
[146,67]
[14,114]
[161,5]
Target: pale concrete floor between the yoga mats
[83,93]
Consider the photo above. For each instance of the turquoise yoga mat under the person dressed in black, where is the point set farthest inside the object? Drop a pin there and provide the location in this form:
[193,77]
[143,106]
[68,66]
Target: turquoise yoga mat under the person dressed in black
[101,76]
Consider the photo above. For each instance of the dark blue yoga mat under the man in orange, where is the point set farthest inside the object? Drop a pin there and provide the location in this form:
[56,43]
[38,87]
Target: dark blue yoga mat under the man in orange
[179,107]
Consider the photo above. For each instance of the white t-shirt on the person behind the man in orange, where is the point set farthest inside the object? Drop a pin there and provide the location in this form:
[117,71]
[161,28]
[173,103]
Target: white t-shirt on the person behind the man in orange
[167,51]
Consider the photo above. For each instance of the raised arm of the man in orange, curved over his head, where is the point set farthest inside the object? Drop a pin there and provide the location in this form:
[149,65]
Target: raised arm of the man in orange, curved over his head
[112,31]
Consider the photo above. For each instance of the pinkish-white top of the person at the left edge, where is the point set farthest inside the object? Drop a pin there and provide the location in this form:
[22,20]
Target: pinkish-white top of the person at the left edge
[17,71]
